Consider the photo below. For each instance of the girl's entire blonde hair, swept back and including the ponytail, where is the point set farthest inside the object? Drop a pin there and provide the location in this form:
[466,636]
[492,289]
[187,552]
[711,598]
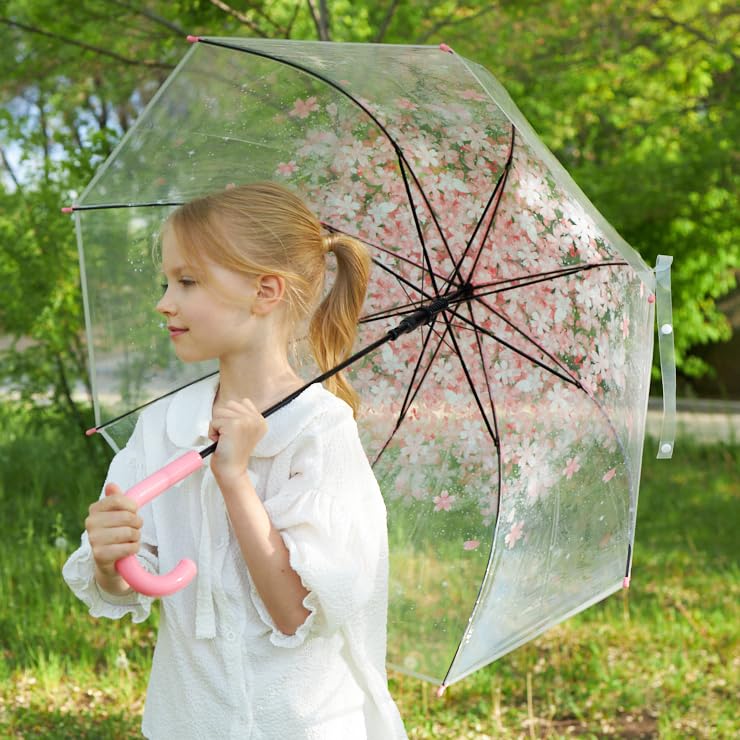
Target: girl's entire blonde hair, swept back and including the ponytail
[265,229]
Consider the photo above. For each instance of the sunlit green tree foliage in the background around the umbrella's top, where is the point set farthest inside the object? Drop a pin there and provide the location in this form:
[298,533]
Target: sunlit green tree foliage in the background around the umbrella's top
[636,99]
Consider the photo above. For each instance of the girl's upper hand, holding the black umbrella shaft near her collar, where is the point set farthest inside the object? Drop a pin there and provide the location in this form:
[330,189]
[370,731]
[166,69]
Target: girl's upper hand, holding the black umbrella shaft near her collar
[237,427]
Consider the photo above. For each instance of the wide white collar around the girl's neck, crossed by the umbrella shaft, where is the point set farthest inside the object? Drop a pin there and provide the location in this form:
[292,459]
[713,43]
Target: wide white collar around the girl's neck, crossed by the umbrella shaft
[189,415]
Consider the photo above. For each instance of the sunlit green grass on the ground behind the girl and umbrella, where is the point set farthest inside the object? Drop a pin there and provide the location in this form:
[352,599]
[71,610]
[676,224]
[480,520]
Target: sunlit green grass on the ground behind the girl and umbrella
[658,660]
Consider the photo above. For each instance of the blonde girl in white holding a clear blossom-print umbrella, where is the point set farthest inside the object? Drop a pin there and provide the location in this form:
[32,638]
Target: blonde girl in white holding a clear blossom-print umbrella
[282,635]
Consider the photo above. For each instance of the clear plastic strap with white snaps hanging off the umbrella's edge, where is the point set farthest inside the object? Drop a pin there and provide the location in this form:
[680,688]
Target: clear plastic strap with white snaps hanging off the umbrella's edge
[664,317]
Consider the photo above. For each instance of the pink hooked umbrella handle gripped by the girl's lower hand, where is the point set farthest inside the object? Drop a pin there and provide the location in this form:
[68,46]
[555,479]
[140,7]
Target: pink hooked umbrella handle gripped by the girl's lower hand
[142,493]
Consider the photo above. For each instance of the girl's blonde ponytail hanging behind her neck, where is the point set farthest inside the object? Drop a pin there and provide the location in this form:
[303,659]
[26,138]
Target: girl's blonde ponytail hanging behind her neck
[333,326]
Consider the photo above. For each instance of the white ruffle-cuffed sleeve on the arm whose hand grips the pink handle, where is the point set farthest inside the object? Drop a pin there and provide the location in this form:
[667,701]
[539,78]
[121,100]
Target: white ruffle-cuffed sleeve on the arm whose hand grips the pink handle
[79,570]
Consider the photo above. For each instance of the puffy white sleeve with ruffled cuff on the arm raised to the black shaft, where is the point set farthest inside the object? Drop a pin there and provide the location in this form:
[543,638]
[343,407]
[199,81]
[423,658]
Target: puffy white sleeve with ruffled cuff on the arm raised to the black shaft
[331,517]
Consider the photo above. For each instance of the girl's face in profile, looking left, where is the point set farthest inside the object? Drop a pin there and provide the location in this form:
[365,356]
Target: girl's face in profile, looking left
[209,316]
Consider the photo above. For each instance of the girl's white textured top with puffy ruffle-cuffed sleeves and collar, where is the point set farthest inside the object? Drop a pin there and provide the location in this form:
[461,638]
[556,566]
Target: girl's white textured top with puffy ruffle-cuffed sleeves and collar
[221,668]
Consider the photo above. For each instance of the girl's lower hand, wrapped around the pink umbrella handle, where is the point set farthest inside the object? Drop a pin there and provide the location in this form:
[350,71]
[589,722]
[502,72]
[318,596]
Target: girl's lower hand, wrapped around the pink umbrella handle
[114,530]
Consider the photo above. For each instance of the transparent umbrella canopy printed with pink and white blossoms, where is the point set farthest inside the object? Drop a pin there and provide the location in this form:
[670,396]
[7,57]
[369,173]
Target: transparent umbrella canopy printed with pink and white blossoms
[506,432]
